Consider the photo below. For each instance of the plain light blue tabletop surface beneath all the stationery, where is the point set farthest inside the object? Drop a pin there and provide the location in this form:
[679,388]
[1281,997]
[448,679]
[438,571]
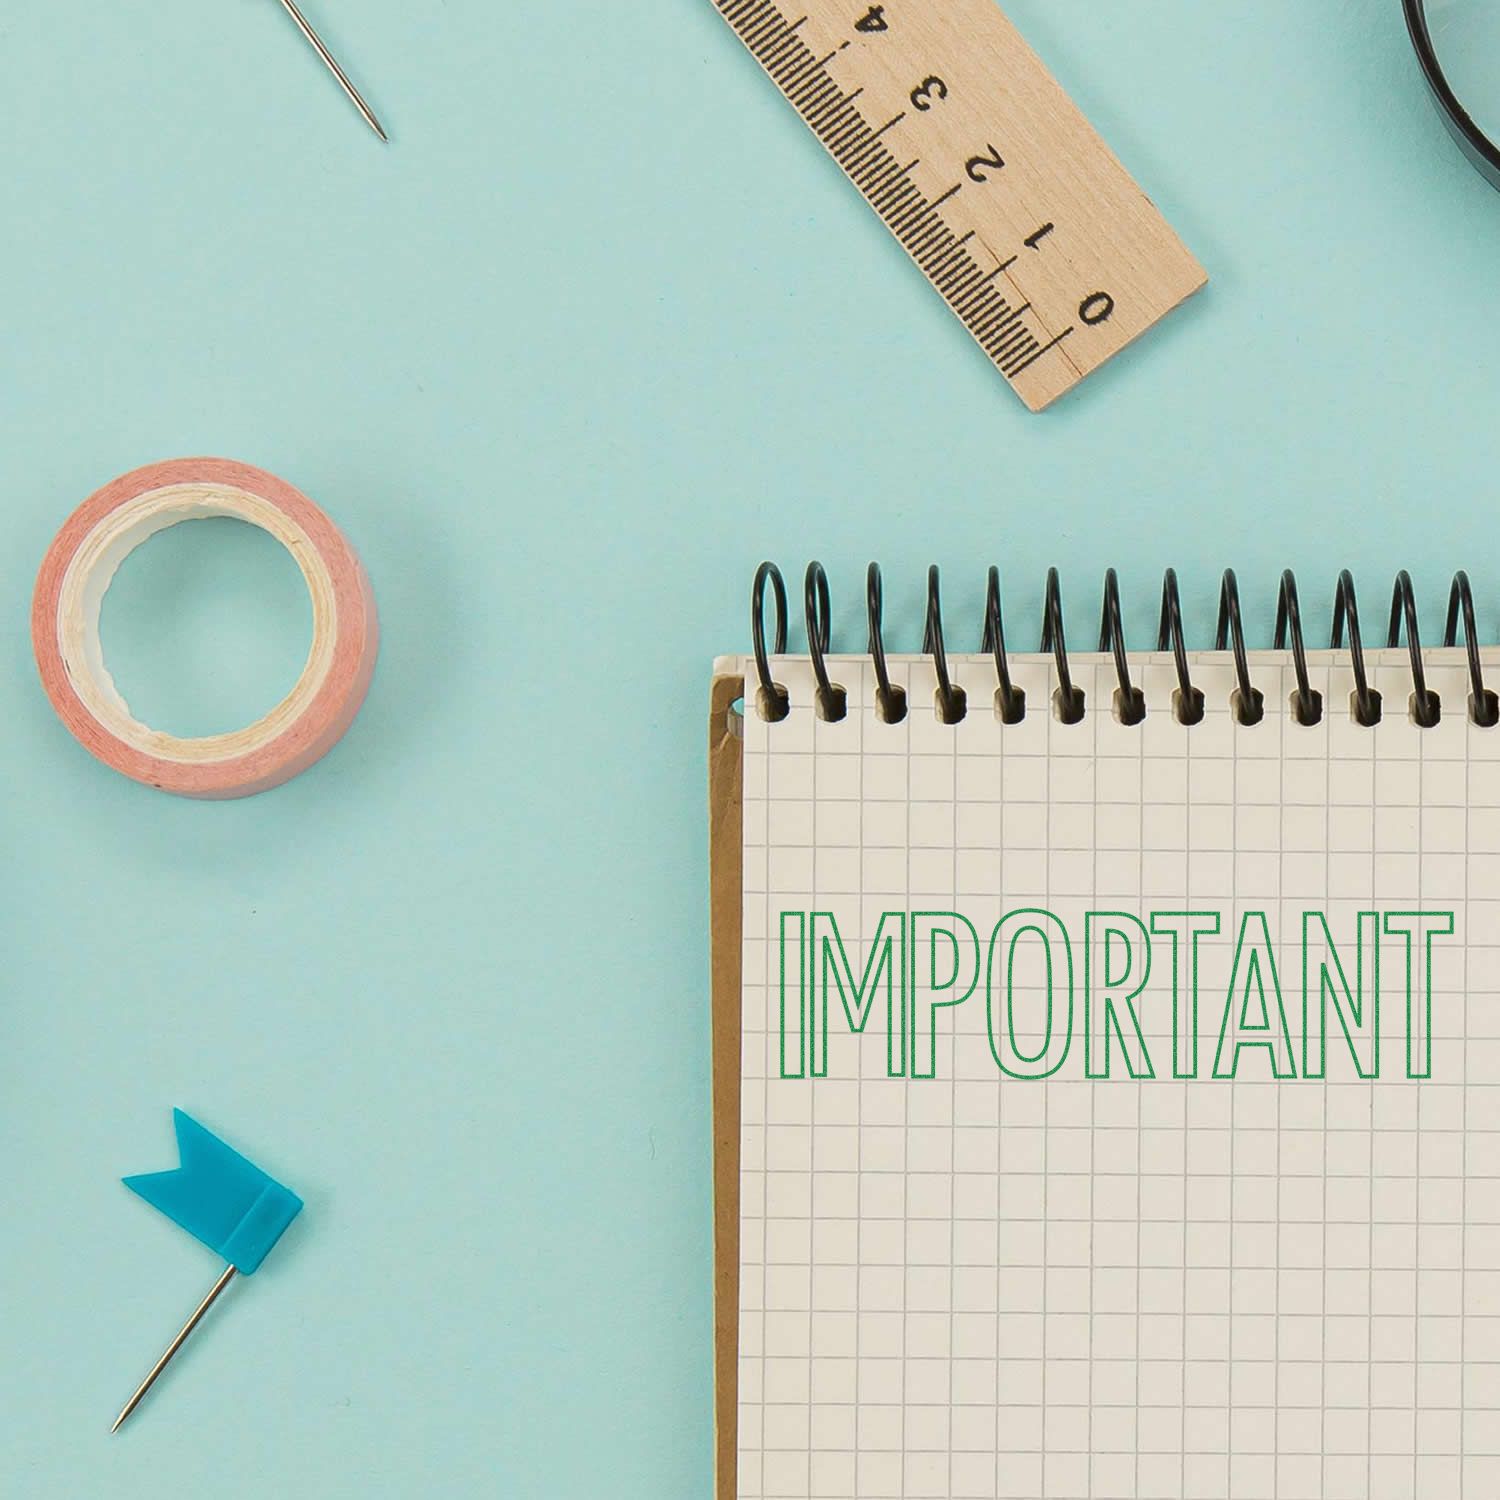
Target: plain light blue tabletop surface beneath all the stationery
[598,332]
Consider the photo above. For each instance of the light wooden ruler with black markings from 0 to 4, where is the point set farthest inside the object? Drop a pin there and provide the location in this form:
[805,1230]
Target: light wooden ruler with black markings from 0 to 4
[985,170]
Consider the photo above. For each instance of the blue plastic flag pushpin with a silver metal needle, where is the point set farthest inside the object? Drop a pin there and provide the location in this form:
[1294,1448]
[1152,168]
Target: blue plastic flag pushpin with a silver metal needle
[224,1201]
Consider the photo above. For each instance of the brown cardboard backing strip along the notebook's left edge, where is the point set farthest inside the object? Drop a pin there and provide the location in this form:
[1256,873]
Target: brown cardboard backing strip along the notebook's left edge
[725,860]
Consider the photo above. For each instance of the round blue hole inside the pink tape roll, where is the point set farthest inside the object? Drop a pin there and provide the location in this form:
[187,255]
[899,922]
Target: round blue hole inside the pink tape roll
[206,626]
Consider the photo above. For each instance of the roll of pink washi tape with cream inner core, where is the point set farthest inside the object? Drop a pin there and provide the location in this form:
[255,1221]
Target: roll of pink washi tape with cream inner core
[65,629]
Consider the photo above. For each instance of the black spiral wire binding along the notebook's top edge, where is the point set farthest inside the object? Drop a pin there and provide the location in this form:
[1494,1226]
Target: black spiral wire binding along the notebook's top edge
[1247,704]
